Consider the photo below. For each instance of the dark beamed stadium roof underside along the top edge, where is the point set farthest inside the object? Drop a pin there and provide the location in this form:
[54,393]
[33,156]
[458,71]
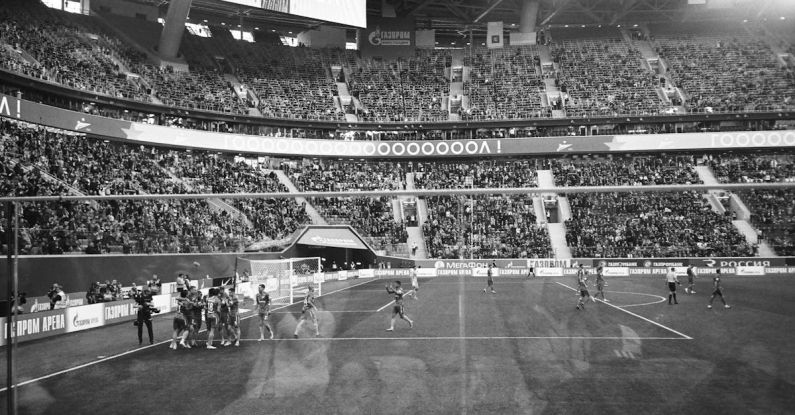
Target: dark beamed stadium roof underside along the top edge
[460,16]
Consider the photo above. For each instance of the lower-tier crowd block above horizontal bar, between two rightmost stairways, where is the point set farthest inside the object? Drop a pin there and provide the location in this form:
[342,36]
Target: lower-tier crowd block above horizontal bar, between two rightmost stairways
[625,170]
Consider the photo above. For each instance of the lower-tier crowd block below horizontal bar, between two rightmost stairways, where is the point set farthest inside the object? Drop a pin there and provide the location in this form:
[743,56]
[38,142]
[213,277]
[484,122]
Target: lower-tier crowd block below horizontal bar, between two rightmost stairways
[647,225]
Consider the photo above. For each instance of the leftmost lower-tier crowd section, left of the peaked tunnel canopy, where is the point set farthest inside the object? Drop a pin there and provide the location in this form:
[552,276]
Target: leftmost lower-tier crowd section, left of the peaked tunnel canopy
[41,162]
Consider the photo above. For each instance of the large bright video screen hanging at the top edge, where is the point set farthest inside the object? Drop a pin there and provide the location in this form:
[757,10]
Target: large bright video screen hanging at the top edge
[347,12]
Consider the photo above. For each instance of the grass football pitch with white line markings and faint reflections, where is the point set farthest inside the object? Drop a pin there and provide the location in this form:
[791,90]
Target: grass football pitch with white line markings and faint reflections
[525,349]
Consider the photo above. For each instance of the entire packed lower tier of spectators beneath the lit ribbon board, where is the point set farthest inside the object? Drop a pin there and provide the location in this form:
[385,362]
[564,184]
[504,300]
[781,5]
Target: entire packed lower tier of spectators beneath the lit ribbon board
[39,161]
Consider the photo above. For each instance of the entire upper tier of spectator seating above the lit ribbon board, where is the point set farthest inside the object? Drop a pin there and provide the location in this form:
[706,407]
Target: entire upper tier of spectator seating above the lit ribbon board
[597,71]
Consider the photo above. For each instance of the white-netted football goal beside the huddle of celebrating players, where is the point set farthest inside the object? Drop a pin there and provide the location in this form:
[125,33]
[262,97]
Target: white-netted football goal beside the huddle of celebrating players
[284,279]
